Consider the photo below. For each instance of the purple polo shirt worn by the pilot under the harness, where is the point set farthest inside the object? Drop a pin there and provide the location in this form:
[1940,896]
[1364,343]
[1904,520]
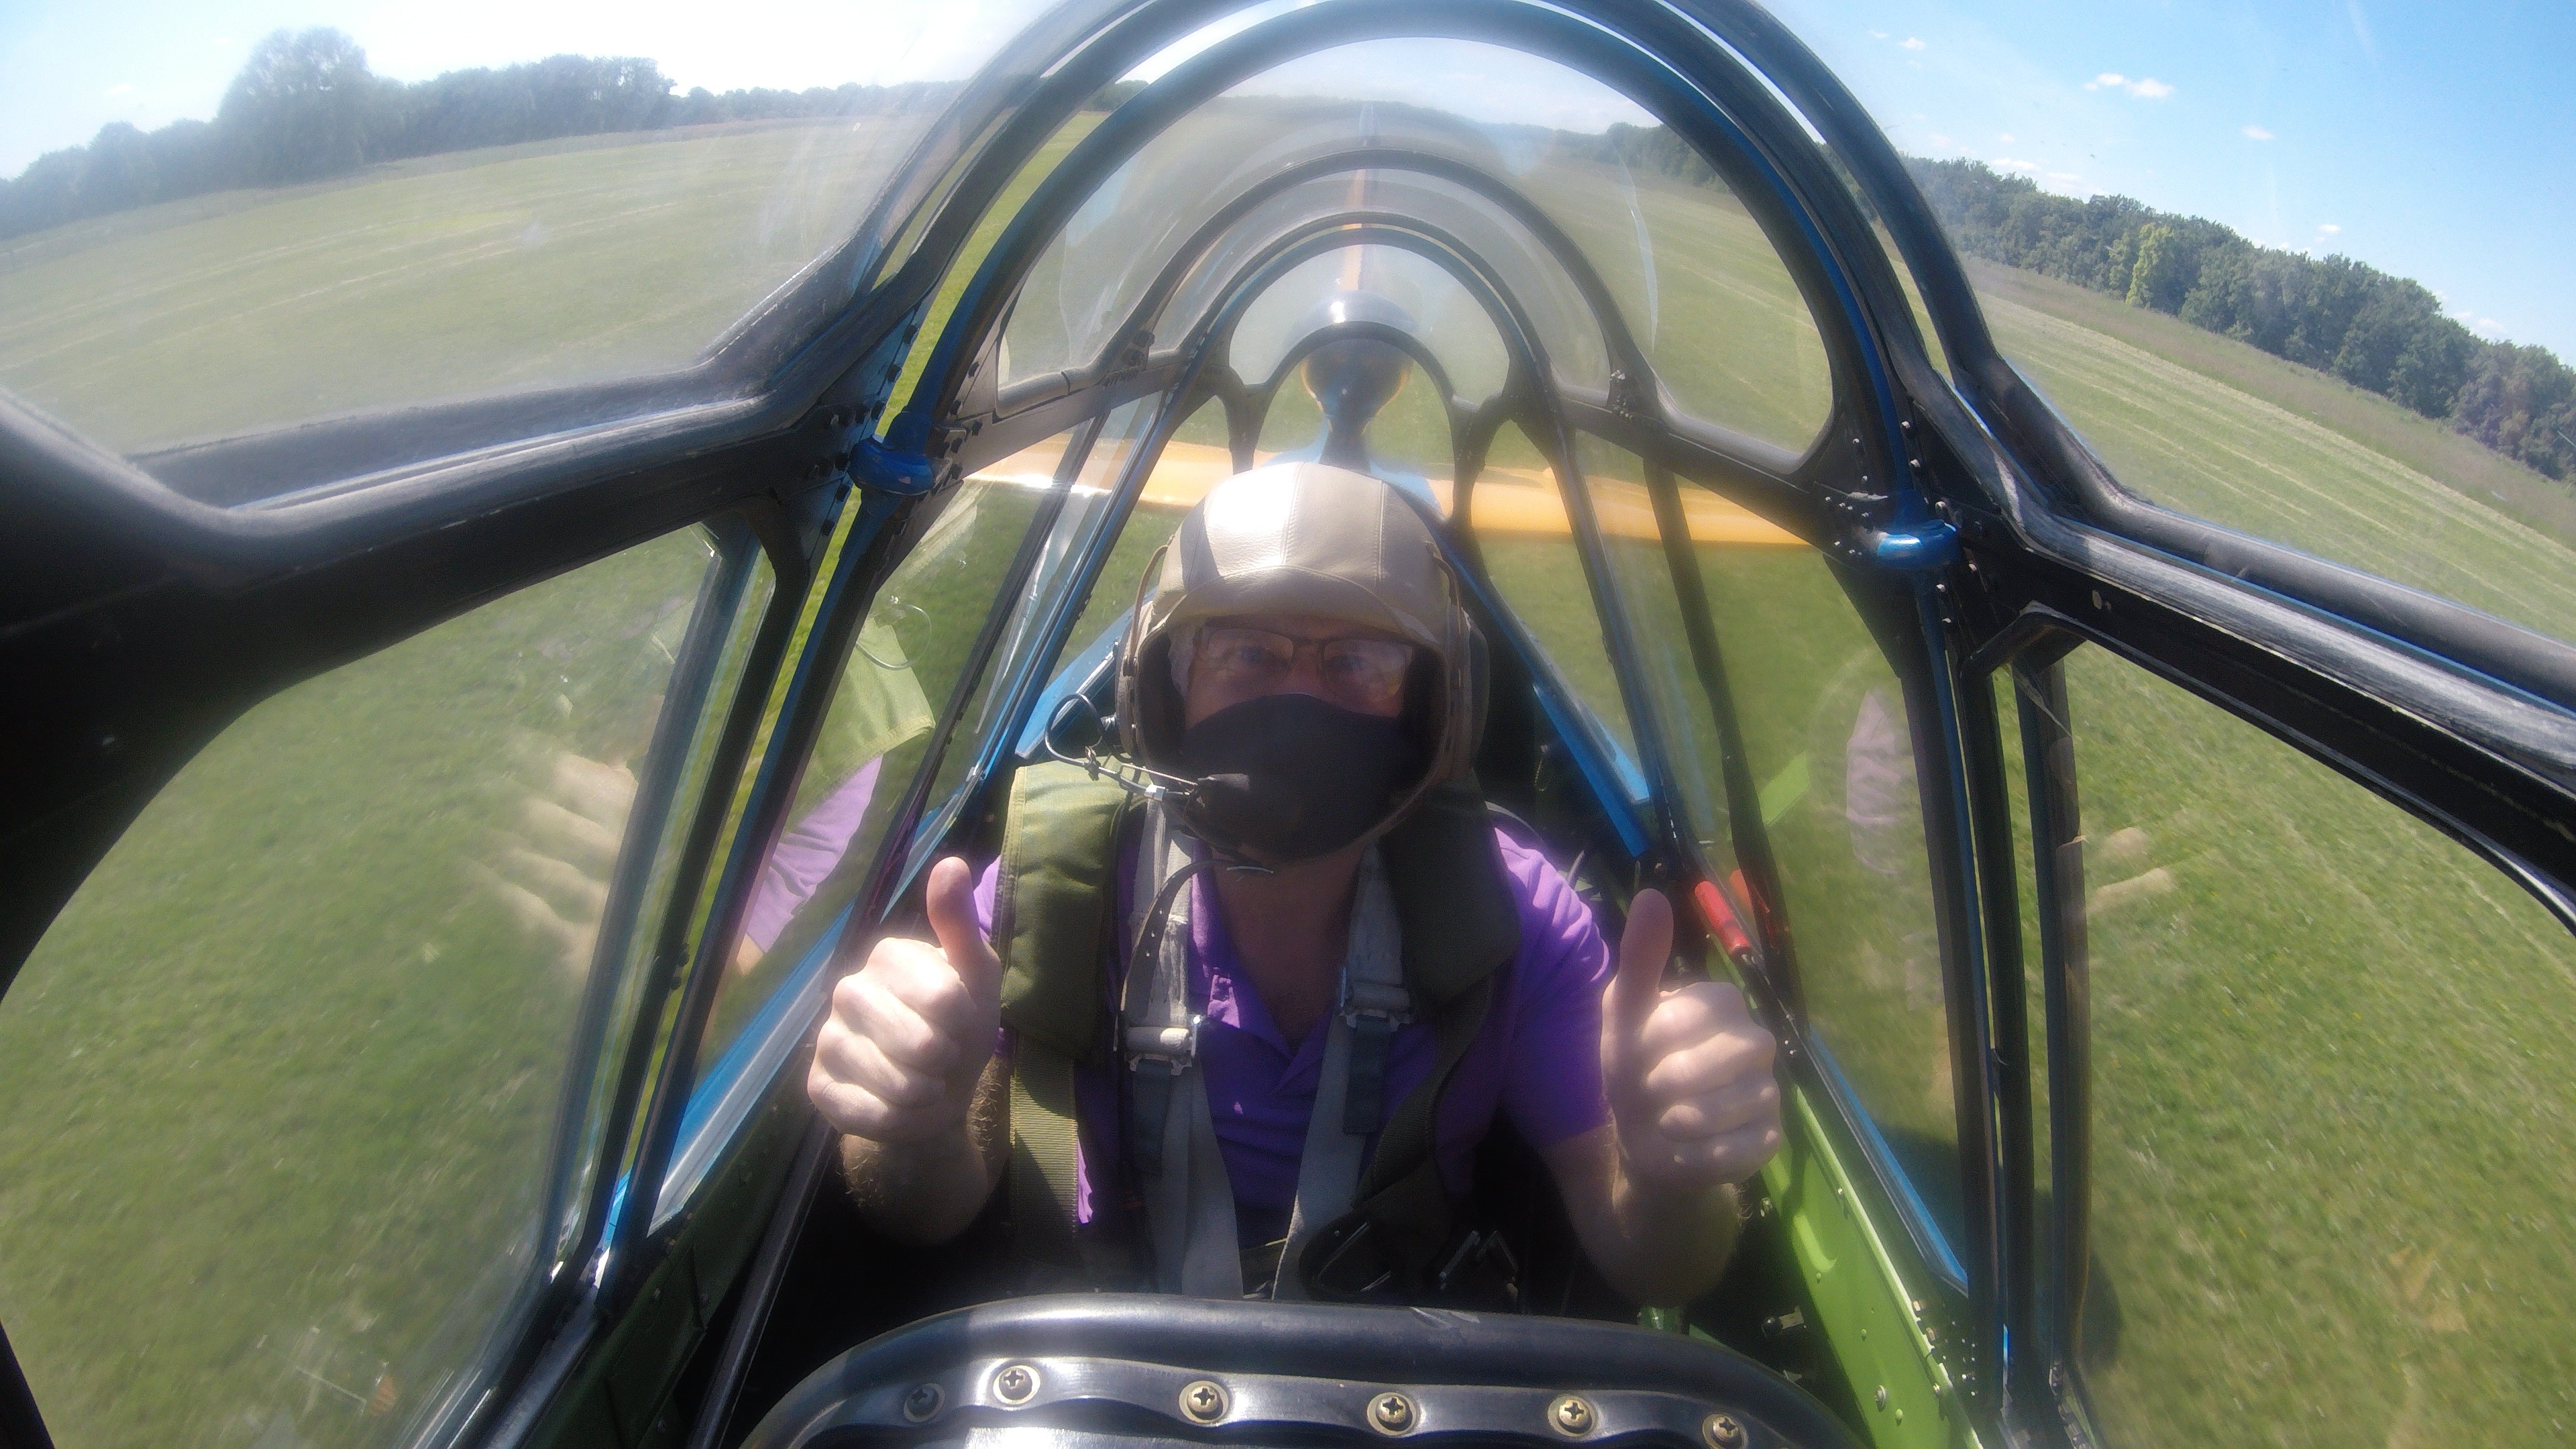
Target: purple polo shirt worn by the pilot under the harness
[1537,1058]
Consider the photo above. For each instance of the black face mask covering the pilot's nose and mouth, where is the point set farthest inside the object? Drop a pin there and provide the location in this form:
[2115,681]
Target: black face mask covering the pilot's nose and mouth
[1292,777]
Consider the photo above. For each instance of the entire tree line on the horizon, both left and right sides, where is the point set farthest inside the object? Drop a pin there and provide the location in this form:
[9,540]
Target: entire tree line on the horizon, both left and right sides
[305,107]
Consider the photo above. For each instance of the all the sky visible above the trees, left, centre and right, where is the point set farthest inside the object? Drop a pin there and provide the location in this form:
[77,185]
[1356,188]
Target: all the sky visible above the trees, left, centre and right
[2428,141]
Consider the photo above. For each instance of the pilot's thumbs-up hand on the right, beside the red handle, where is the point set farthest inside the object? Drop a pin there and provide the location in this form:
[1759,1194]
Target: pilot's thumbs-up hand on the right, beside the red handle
[1689,1071]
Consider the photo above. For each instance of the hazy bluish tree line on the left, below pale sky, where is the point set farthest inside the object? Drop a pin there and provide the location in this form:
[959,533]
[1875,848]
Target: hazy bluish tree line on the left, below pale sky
[305,107]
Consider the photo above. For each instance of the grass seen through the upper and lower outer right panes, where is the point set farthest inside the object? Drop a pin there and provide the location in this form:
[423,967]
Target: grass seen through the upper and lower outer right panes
[2333,1097]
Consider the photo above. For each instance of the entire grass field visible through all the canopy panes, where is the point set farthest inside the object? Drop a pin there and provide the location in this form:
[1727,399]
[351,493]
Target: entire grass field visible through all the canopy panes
[285,1074]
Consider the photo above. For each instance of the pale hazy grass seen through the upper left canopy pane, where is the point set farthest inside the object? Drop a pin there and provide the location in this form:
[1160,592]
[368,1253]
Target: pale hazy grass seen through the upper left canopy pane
[573,264]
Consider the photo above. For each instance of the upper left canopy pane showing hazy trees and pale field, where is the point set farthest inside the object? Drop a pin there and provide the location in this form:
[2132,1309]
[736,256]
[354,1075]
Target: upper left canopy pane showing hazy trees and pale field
[264,215]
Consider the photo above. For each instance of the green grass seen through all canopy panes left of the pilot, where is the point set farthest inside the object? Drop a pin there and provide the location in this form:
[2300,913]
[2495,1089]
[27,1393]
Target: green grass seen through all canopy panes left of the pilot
[285,1074]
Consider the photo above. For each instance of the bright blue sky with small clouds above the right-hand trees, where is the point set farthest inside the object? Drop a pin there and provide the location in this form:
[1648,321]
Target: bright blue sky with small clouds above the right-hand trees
[2433,141]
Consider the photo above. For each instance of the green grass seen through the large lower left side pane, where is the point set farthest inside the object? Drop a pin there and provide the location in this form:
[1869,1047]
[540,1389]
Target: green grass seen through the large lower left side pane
[285,1074]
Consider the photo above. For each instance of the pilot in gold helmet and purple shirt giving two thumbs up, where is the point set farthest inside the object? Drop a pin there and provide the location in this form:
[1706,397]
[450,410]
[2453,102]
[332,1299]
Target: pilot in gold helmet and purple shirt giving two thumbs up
[1240,1025]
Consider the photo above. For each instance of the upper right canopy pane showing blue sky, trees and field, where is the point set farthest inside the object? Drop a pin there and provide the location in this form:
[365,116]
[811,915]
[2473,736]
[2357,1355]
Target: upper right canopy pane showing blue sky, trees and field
[2284,267]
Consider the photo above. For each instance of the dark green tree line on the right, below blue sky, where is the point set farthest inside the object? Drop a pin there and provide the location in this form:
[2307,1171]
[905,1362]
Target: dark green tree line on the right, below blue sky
[2382,334]
